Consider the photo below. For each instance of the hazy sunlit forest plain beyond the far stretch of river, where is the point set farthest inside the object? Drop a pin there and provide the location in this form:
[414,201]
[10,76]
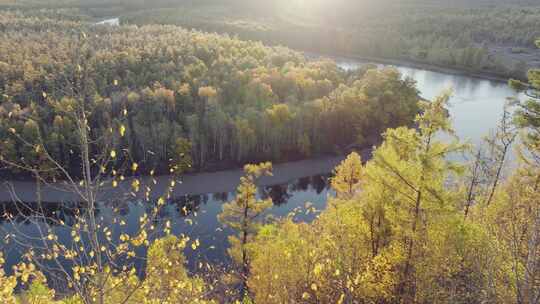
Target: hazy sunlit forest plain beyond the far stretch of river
[495,39]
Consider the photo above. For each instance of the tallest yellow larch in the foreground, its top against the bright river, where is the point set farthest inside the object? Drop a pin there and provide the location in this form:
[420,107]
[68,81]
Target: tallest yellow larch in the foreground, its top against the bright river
[413,166]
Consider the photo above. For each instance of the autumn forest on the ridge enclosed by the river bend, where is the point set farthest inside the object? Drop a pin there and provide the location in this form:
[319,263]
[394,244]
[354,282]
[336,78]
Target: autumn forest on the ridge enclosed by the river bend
[171,91]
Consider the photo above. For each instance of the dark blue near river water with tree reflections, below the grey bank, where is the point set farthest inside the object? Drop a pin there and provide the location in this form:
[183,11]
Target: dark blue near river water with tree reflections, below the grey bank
[190,215]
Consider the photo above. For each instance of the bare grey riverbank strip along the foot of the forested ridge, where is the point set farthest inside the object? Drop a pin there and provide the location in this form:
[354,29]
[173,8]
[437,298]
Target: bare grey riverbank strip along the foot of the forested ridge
[190,184]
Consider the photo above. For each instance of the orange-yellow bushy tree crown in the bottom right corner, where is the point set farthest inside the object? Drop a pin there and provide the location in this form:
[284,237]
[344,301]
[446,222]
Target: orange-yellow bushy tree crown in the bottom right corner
[514,221]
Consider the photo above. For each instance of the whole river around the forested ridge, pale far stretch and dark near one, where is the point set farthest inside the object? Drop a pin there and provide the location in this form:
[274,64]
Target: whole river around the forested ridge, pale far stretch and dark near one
[476,106]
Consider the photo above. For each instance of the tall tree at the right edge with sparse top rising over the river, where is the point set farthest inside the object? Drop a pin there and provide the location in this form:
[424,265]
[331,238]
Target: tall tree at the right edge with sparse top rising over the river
[517,214]
